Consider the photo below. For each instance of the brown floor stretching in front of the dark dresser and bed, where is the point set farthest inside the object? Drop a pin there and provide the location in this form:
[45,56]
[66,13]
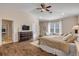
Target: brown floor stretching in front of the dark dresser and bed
[22,49]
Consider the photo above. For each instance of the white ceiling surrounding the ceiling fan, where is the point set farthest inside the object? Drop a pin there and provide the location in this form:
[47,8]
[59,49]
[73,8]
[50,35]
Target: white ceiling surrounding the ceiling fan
[59,10]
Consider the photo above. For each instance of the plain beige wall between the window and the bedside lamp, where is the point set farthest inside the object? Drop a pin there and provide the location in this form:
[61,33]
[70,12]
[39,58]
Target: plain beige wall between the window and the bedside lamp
[68,23]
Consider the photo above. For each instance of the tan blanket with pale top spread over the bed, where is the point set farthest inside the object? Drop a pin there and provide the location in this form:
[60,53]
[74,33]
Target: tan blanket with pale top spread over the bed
[54,42]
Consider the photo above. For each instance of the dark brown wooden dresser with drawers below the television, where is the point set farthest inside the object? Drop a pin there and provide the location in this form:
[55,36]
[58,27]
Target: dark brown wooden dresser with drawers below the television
[23,36]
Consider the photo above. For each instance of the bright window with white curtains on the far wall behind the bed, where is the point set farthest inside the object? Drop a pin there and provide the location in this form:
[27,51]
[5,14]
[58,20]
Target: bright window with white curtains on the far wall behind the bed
[55,27]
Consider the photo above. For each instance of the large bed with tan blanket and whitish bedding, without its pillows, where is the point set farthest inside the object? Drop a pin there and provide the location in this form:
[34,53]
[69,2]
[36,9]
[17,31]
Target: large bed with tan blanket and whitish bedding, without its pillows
[56,45]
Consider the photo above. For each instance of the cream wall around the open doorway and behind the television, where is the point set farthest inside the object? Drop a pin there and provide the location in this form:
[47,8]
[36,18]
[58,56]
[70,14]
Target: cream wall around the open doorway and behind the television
[18,18]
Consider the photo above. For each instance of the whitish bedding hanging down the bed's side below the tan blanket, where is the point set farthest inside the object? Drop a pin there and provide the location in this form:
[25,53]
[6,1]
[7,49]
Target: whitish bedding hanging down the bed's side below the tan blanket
[72,50]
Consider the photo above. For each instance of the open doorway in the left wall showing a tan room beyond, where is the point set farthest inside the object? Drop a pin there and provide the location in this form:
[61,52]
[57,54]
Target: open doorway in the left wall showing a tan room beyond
[6,31]
